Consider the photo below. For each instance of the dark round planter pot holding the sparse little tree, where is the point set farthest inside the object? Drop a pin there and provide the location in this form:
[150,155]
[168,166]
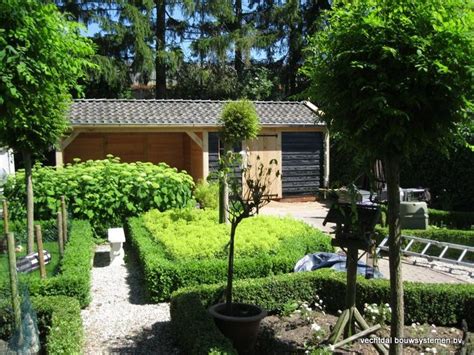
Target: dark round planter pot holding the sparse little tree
[241,327]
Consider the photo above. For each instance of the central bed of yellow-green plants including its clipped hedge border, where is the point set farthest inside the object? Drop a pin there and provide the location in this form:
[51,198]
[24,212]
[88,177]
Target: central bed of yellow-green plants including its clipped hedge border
[188,247]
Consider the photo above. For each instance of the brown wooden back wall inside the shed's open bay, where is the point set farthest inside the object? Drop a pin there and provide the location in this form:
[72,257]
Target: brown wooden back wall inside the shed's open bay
[174,148]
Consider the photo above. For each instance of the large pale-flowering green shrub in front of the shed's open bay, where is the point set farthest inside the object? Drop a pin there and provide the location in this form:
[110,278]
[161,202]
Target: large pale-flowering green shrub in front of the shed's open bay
[105,192]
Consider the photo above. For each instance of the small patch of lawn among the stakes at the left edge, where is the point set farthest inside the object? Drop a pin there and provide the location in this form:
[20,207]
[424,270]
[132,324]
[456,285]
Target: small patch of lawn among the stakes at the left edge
[51,268]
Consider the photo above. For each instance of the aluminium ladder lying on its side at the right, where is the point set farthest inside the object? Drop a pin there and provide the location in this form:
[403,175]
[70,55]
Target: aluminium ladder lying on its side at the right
[428,243]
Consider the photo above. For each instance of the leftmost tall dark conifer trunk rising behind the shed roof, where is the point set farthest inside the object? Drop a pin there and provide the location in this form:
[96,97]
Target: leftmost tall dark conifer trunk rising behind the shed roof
[160,64]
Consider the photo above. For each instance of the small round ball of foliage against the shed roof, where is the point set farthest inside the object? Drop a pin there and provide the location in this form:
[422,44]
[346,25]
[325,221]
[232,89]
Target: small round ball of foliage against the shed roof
[239,121]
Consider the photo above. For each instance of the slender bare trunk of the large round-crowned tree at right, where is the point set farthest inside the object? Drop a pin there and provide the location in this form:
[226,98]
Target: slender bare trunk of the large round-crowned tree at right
[396,283]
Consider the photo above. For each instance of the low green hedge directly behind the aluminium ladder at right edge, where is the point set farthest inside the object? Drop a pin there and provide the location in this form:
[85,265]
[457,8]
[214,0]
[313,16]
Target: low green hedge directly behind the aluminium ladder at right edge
[455,236]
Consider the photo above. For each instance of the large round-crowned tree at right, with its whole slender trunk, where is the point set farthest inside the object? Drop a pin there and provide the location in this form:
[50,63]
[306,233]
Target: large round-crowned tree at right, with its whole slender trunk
[393,77]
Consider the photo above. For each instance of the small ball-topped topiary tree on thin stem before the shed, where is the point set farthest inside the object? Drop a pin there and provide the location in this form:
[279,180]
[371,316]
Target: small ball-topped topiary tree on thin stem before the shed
[239,122]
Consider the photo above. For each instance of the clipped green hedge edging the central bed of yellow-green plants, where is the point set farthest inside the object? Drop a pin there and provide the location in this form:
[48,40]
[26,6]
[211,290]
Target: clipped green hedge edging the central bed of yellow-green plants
[163,274]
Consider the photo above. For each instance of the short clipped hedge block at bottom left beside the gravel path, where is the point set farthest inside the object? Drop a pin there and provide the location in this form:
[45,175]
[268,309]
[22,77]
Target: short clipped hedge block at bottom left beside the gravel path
[60,322]
